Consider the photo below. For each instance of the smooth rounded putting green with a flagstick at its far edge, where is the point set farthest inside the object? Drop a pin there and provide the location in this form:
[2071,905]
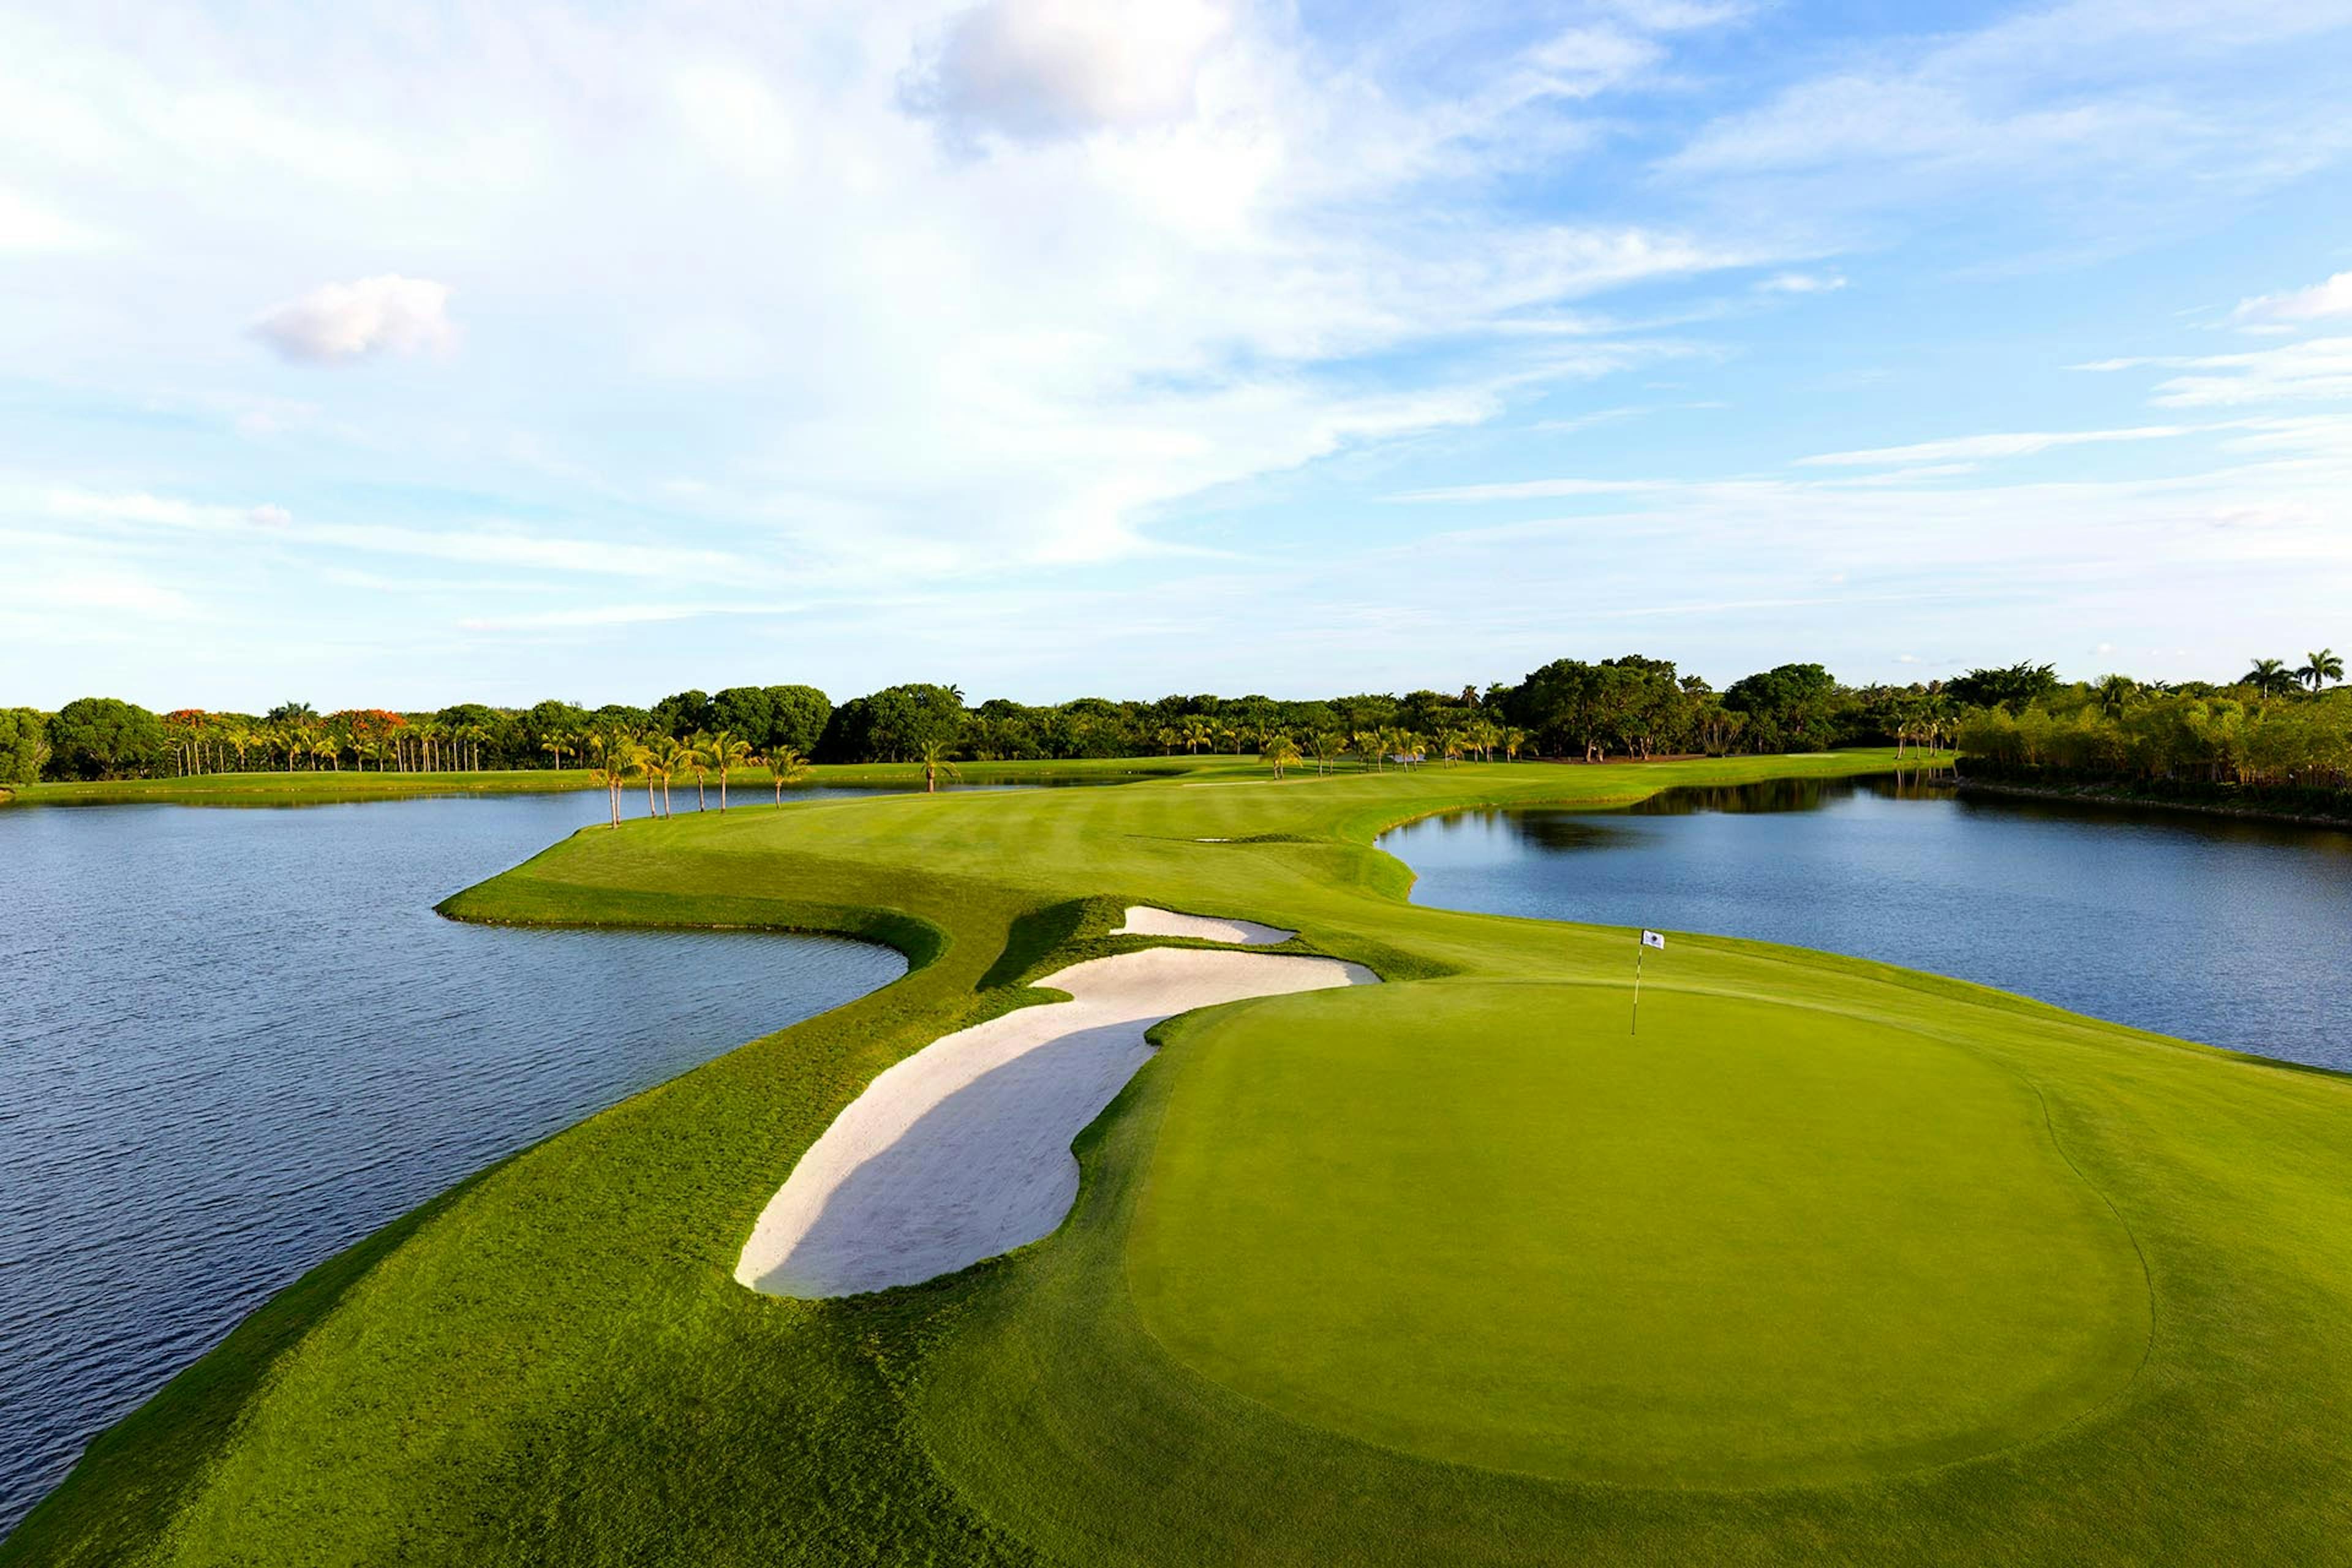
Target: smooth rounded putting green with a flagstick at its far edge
[1760,1245]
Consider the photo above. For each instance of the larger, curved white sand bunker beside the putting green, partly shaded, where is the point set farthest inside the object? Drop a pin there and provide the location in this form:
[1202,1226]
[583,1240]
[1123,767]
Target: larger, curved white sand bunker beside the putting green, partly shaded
[963,1151]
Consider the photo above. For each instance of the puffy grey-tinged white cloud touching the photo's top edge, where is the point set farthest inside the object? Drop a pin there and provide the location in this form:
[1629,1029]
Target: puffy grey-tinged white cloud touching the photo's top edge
[1043,69]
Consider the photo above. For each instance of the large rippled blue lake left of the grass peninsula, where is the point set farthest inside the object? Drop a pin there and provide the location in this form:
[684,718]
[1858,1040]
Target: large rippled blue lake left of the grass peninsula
[234,1043]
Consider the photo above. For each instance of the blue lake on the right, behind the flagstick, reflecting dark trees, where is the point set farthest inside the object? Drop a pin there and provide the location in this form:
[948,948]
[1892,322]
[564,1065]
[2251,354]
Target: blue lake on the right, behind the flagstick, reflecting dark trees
[2236,934]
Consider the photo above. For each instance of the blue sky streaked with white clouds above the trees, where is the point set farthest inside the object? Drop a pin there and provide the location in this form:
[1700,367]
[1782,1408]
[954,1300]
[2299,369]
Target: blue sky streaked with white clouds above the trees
[425,354]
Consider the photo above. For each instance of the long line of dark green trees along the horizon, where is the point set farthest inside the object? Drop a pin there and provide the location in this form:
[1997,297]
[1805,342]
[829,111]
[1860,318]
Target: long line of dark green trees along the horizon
[1570,709]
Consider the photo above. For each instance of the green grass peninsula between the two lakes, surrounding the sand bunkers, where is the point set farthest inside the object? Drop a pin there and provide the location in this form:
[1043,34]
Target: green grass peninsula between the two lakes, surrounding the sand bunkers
[1831,1264]
